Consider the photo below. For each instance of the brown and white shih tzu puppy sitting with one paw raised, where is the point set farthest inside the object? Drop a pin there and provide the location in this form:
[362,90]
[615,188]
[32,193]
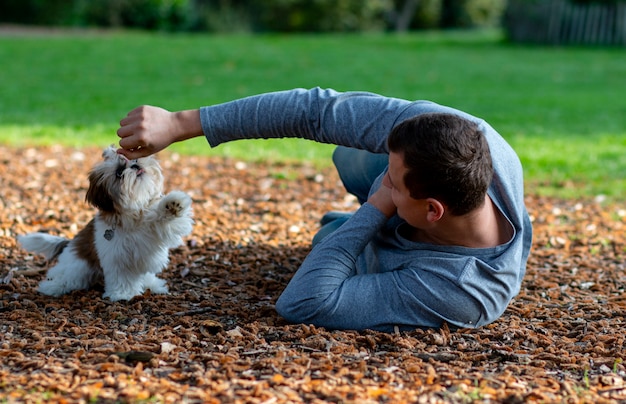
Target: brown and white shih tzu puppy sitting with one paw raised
[127,243]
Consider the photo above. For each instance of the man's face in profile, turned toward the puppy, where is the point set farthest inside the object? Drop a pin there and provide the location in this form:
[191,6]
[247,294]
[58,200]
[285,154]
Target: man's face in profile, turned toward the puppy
[410,209]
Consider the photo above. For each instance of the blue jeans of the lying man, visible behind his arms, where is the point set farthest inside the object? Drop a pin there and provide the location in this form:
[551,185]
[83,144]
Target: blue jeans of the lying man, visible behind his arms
[357,170]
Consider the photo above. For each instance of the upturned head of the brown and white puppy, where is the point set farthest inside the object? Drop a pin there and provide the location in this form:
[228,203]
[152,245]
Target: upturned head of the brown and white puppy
[118,184]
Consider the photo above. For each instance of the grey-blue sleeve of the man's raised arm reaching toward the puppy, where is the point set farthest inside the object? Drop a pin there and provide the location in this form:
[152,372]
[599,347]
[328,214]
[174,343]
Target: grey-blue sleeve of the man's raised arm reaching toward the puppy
[354,119]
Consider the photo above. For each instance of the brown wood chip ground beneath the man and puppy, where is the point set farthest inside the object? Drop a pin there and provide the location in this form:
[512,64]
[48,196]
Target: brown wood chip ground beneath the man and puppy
[216,336]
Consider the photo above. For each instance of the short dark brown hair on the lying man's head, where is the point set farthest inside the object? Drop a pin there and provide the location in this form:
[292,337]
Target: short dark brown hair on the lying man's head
[447,158]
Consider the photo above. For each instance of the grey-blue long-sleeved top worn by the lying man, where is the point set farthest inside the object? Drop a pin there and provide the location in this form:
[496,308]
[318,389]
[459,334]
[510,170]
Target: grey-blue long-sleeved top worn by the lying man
[365,275]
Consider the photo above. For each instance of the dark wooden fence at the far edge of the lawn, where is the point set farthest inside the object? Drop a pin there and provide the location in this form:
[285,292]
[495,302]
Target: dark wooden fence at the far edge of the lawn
[565,22]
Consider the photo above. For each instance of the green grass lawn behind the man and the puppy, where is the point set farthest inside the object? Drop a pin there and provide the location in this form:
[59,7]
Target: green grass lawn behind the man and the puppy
[562,109]
